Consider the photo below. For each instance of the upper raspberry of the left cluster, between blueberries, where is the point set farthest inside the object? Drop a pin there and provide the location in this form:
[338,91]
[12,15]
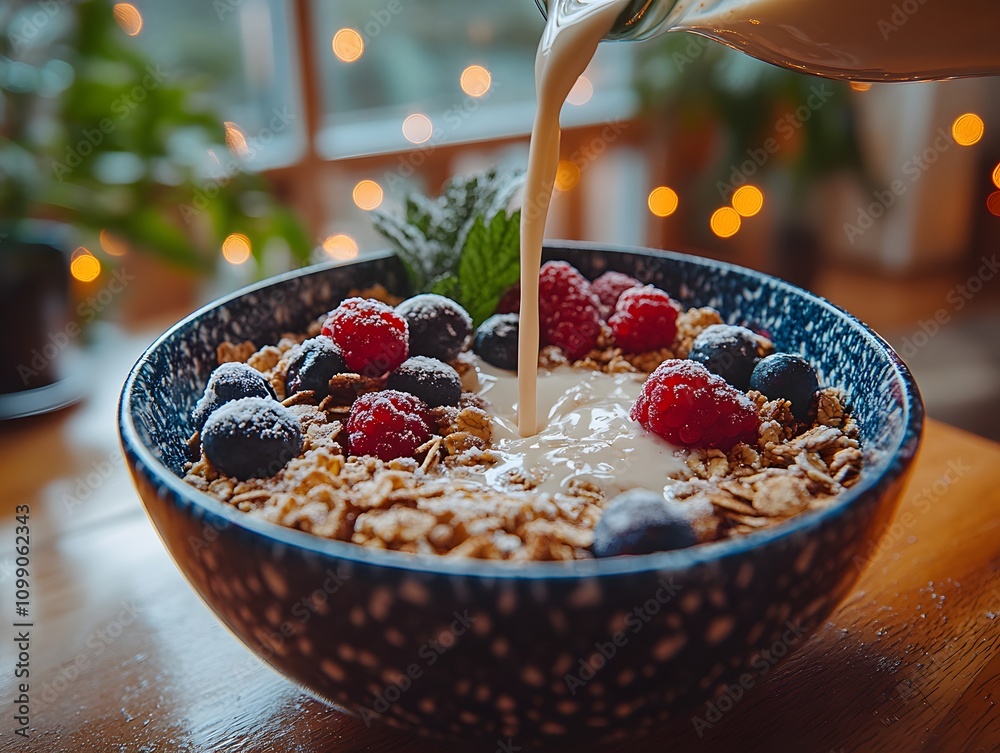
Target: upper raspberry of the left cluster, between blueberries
[371,336]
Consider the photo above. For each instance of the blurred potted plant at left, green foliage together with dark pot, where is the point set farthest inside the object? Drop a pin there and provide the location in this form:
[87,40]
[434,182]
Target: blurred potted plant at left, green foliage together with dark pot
[110,149]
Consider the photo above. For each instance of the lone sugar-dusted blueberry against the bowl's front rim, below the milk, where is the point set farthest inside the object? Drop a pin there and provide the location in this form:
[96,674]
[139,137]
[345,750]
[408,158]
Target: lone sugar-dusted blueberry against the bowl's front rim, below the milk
[640,521]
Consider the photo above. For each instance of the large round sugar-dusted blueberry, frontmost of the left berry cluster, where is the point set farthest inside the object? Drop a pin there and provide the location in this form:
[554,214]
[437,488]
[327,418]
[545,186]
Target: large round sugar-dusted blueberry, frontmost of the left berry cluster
[252,437]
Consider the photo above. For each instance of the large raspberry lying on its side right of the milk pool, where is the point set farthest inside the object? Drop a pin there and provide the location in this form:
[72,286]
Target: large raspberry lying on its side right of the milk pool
[688,405]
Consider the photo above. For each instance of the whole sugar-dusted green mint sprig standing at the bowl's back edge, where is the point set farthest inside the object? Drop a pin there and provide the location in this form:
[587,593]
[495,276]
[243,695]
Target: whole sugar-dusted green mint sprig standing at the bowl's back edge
[462,244]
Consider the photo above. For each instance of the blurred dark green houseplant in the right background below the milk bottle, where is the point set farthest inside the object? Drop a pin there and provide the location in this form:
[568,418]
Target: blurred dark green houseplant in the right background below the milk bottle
[739,121]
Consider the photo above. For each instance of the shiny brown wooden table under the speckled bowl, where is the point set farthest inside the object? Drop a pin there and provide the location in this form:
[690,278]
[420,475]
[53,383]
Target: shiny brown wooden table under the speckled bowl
[124,657]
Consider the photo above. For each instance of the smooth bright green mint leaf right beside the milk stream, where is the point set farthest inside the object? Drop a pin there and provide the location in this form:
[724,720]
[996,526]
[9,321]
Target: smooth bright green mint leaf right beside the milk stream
[489,264]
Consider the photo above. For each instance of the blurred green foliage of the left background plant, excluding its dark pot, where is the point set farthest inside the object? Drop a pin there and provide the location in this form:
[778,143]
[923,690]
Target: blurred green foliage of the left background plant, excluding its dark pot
[96,135]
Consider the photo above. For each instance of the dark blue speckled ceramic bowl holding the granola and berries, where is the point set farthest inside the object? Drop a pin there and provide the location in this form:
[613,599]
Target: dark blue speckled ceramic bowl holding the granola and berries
[483,651]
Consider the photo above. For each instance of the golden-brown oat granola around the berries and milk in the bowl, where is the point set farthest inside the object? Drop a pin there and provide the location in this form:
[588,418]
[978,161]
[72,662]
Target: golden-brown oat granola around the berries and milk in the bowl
[437,502]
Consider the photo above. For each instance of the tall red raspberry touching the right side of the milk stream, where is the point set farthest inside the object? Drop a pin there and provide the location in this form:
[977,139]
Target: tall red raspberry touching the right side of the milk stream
[569,313]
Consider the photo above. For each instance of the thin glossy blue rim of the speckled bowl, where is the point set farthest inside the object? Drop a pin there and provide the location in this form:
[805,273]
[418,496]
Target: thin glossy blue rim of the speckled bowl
[900,456]
